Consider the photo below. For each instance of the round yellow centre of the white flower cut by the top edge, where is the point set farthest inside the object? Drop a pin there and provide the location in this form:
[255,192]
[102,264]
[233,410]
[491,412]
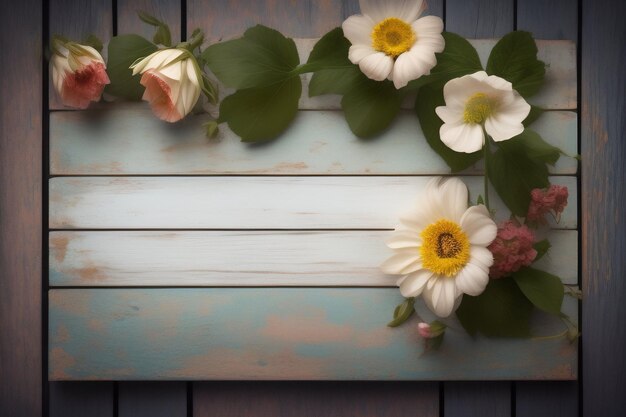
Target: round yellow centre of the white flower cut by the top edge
[393,37]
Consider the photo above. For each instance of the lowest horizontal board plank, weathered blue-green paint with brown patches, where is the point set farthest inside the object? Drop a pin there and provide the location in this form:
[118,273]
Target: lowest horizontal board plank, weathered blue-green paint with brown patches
[277,333]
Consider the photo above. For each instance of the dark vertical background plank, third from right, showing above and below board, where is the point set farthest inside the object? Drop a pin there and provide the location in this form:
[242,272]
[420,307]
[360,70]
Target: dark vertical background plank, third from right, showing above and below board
[478,19]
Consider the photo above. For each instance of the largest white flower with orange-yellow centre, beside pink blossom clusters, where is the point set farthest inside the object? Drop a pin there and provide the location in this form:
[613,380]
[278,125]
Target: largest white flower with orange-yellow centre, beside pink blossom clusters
[441,247]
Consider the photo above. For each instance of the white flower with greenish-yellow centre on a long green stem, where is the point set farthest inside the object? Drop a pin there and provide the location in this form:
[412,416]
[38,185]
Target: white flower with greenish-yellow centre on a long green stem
[477,103]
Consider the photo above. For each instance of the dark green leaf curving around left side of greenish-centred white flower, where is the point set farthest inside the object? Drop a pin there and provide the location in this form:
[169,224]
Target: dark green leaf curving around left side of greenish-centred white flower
[428,98]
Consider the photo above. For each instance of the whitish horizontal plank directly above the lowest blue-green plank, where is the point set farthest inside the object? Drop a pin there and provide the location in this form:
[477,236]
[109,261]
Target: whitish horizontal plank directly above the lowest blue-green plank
[246,258]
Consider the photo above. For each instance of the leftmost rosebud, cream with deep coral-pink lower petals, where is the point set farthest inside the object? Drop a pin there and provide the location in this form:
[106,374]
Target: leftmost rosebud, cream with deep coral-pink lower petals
[78,74]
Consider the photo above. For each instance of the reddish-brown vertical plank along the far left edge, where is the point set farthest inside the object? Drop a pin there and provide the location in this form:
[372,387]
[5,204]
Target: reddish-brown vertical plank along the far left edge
[21,208]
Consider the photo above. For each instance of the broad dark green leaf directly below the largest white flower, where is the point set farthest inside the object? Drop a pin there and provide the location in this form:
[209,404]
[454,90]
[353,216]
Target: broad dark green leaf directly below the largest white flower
[502,310]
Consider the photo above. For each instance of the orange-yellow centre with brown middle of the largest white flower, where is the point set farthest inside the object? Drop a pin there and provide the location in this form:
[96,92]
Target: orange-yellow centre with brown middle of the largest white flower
[445,248]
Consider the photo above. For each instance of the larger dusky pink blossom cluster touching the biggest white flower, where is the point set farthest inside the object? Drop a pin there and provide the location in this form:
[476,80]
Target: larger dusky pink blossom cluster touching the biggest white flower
[512,249]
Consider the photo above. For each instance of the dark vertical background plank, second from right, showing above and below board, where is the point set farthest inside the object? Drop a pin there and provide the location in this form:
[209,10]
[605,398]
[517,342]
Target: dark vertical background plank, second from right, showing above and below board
[557,19]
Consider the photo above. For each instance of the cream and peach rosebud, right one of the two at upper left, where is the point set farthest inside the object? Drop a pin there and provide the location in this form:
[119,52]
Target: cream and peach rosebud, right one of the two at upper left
[172,81]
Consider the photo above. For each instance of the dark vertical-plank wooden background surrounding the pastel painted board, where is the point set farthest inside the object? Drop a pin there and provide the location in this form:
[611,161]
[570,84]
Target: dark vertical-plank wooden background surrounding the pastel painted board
[597,26]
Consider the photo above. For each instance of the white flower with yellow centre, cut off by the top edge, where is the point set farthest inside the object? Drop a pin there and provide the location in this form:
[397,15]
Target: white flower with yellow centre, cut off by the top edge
[389,40]
